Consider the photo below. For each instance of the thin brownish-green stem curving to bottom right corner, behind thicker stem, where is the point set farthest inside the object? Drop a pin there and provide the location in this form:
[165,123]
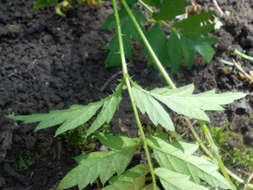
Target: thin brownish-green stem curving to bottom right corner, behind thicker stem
[208,153]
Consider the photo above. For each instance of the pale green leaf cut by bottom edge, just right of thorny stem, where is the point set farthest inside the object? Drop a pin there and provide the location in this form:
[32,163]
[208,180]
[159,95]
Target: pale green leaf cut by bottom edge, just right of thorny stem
[176,181]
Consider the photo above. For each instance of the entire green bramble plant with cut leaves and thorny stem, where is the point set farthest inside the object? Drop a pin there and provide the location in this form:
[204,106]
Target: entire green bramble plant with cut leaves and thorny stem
[175,164]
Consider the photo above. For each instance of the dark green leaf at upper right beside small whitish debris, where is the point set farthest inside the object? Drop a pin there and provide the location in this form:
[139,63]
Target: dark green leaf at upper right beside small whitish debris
[194,24]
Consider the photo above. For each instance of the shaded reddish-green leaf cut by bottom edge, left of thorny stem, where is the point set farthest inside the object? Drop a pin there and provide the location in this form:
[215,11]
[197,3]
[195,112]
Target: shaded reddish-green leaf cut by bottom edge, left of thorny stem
[132,179]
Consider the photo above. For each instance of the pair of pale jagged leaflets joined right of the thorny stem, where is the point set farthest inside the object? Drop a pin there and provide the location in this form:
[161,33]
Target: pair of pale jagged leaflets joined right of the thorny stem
[181,100]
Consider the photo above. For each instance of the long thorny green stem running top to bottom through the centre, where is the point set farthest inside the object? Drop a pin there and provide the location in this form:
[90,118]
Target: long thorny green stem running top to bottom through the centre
[126,79]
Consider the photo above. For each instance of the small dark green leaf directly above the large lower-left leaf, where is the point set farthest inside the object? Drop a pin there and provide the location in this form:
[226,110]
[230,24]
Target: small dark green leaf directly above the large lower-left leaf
[116,142]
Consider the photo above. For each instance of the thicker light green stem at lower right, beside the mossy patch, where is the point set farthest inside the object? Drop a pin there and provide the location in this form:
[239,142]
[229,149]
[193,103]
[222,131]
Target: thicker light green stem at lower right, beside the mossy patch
[216,153]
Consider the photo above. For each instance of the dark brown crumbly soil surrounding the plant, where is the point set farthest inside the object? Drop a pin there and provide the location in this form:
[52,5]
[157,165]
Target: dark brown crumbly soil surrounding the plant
[51,63]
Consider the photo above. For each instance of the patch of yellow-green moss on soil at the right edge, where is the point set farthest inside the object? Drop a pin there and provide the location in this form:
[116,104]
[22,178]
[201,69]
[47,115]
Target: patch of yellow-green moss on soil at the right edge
[237,154]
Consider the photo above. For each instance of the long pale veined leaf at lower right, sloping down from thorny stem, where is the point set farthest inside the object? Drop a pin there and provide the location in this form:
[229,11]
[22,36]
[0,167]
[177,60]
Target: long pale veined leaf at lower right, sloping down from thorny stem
[197,168]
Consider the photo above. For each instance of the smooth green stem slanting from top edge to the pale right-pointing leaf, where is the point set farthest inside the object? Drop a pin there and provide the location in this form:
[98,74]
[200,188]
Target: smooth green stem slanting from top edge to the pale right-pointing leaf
[147,45]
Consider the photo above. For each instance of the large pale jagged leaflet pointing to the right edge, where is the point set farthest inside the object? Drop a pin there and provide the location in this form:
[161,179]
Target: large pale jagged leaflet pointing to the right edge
[194,105]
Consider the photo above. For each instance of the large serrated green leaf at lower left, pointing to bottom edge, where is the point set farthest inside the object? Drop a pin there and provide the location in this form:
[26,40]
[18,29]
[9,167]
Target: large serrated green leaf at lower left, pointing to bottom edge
[98,164]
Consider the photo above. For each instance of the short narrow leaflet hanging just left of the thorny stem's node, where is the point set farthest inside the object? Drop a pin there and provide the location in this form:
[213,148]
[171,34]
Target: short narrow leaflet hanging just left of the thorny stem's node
[105,116]
